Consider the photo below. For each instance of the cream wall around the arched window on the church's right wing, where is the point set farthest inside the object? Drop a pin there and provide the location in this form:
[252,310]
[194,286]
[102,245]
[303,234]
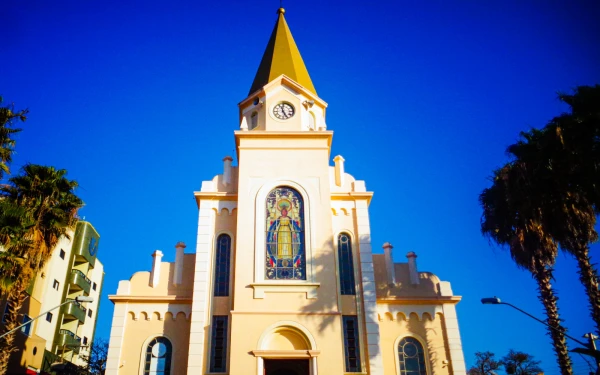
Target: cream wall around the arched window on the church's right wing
[430,332]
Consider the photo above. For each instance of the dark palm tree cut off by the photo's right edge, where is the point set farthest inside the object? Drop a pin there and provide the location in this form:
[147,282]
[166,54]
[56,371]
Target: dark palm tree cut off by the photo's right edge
[565,159]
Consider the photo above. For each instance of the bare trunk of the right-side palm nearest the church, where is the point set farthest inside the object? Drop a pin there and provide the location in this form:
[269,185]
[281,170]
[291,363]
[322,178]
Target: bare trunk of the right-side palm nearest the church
[543,276]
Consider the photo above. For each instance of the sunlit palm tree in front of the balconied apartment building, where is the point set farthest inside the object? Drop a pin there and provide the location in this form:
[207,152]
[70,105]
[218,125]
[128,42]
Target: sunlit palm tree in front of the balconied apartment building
[49,207]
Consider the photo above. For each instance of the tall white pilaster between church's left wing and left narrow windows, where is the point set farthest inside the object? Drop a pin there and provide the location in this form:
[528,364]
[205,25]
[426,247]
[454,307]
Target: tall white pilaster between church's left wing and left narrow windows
[200,318]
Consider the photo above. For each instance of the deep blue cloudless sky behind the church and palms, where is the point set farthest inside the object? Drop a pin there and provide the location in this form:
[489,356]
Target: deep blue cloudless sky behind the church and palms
[137,100]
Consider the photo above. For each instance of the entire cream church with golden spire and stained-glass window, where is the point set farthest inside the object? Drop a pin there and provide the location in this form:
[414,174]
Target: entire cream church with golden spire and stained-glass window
[316,299]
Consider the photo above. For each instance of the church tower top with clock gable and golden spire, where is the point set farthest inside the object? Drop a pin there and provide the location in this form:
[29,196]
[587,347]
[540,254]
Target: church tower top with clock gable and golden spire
[282,96]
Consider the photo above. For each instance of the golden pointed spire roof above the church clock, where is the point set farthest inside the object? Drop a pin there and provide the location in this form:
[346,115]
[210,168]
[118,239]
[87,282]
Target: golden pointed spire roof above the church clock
[282,57]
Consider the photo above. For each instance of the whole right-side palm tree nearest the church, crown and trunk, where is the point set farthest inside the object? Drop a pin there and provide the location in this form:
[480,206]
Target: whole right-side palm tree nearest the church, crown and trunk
[512,217]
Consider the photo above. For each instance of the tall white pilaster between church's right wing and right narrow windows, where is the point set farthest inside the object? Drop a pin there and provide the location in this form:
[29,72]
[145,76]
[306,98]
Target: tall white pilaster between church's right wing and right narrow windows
[368,286]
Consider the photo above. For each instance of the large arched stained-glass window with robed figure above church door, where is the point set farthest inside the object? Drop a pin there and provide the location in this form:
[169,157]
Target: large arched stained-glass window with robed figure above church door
[285,257]
